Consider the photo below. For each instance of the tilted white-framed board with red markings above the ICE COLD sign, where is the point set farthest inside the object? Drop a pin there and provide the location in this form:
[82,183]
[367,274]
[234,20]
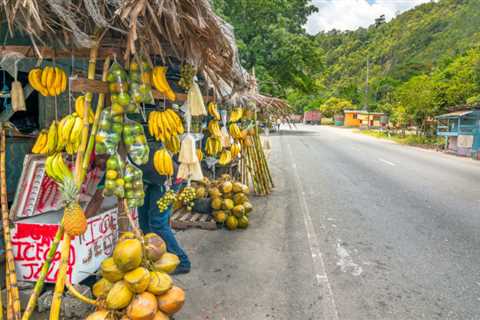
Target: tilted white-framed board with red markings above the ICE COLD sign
[37,193]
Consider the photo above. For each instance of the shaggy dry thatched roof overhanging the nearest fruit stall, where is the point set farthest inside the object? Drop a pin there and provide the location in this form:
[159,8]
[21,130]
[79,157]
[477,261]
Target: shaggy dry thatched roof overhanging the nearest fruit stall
[188,28]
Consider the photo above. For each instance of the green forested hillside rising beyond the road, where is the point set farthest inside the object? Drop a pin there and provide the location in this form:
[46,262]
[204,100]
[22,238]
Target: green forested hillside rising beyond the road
[423,41]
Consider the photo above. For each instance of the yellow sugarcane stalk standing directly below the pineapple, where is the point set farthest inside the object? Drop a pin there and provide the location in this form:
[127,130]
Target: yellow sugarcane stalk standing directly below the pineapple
[61,276]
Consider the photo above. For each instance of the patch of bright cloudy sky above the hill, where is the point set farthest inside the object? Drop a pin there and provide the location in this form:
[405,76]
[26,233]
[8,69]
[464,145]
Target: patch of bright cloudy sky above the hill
[352,14]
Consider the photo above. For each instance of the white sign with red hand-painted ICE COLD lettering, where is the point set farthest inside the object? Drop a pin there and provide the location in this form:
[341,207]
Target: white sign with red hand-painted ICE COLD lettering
[31,242]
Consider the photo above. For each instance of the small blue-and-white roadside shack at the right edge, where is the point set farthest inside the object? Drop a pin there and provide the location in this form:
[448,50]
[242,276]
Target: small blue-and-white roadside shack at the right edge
[461,130]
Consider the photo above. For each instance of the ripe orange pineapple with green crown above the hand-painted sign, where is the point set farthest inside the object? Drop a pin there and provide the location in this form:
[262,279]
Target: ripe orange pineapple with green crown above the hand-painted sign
[74,220]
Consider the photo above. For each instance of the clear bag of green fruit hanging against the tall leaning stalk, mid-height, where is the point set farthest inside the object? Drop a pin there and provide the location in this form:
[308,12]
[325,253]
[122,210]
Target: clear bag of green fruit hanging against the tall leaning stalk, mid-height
[109,133]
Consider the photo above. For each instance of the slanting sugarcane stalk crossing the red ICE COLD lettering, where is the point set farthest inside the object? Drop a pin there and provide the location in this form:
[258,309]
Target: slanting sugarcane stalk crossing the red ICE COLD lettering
[37,290]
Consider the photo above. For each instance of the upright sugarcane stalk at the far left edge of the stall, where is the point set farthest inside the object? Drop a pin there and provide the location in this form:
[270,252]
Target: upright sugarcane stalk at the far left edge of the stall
[10,269]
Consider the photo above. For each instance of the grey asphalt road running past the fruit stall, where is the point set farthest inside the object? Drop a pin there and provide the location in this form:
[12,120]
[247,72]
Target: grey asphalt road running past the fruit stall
[357,228]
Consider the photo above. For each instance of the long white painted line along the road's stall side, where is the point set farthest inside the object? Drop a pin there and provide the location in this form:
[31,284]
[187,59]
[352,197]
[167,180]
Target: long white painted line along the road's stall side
[328,303]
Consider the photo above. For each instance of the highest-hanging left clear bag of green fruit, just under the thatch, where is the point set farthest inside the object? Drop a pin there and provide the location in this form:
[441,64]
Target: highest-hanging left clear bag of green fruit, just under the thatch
[118,87]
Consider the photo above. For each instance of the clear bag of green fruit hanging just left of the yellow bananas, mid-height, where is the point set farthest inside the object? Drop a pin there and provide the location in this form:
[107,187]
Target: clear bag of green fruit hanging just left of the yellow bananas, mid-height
[136,142]
